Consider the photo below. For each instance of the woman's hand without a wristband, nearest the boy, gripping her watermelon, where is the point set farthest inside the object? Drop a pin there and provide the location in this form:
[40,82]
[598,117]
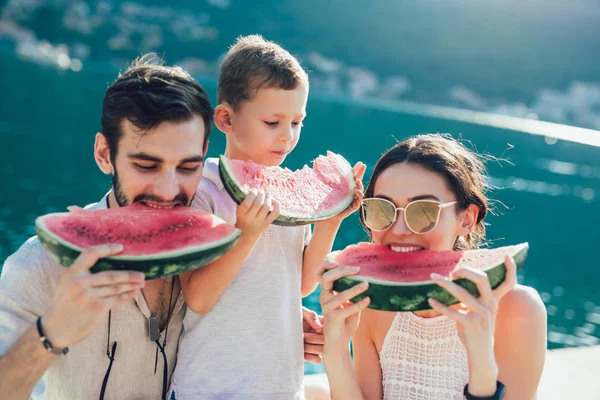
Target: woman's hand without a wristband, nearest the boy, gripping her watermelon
[340,316]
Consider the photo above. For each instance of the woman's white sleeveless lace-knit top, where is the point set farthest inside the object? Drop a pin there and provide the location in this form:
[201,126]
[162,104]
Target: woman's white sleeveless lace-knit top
[422,359]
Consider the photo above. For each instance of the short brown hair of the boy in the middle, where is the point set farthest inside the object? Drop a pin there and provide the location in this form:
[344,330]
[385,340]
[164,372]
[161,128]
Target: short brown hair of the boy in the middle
[253,63]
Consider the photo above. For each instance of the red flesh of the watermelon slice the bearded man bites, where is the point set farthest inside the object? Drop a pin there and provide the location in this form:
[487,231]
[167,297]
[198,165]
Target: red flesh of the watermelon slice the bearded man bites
[141,230]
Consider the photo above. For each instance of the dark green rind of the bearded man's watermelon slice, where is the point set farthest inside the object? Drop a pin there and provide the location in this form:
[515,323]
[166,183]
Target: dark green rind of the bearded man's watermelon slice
[153,266]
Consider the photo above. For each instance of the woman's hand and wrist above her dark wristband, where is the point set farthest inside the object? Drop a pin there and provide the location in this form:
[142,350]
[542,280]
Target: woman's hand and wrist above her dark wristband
[476,321]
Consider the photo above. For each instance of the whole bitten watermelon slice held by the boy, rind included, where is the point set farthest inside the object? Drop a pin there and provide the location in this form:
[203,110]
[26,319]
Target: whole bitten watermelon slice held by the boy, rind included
[306,196]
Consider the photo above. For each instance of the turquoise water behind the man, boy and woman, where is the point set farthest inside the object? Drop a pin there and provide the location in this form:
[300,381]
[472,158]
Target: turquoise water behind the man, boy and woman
[550,191]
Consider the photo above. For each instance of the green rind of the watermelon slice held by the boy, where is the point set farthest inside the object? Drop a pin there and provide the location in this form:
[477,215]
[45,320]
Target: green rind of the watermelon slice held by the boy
[236,192]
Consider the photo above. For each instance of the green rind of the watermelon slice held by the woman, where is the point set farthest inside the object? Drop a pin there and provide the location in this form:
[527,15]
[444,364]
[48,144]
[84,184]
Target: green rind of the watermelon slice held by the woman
[412,296]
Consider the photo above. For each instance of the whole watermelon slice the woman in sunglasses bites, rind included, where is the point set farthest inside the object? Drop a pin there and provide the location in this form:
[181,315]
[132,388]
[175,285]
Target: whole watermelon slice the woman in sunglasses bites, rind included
[401,281]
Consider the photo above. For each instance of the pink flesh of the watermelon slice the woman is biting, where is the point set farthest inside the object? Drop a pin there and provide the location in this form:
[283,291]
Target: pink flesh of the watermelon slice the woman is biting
[382,263]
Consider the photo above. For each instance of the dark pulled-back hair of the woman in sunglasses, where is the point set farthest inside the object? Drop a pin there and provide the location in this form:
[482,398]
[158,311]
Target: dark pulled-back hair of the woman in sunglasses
[461,168]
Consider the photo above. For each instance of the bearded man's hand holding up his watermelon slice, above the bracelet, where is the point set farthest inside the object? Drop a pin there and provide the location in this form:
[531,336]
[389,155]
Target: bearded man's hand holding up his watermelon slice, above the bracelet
[82,299]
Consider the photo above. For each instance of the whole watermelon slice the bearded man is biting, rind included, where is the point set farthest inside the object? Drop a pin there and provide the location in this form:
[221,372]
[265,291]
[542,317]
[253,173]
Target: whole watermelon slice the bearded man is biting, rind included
[157,242]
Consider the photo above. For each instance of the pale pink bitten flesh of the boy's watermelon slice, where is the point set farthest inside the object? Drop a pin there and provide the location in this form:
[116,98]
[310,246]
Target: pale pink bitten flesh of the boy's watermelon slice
[308,191]
